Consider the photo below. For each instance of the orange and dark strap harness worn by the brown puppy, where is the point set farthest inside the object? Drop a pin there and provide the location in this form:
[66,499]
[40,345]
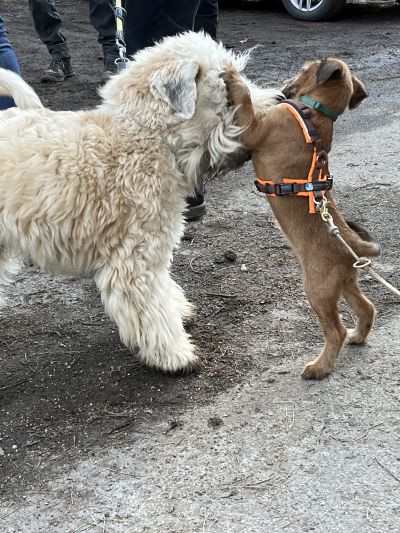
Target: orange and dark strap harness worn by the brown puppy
[318,180]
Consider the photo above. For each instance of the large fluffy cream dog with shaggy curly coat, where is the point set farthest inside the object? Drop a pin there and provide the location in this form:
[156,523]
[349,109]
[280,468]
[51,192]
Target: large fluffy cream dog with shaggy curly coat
[103,191]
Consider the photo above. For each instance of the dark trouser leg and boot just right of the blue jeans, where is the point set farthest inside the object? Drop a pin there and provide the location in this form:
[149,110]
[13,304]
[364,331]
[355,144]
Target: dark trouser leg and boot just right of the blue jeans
[47,22]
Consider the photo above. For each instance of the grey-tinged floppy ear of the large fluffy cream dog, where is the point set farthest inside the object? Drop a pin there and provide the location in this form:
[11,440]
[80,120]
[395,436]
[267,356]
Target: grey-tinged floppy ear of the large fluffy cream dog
[175,84]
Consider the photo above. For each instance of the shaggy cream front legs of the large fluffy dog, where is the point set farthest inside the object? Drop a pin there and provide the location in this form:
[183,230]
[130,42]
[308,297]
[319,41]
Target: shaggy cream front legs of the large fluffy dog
[149,311]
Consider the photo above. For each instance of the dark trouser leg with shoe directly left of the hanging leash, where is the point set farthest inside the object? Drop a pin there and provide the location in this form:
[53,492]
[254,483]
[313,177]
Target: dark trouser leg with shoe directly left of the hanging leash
[103,19]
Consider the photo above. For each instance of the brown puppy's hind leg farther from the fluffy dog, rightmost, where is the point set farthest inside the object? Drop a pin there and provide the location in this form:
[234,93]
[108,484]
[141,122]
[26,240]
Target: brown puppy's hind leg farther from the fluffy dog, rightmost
[363,308]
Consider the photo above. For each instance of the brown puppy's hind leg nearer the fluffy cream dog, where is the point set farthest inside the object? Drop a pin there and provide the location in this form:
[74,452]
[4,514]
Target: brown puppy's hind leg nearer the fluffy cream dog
[323,300]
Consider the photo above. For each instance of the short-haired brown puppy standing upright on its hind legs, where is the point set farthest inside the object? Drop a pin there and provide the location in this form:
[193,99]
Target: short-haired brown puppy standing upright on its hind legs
[279,151]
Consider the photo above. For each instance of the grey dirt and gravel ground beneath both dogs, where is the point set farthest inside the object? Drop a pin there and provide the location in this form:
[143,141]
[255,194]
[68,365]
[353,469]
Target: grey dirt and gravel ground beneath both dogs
[93,441]
